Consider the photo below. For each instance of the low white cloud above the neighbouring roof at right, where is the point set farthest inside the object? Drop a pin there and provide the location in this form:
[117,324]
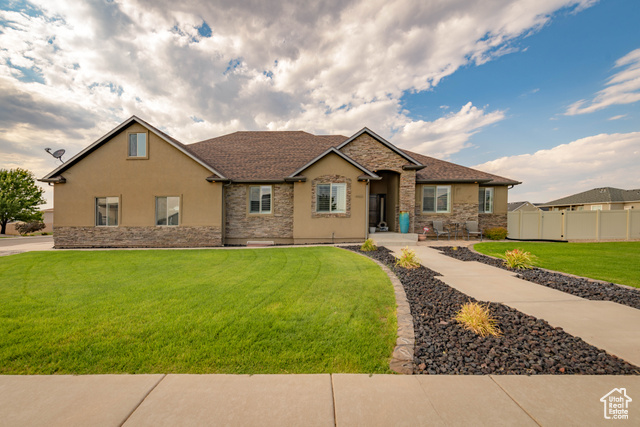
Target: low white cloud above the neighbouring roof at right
[605,160]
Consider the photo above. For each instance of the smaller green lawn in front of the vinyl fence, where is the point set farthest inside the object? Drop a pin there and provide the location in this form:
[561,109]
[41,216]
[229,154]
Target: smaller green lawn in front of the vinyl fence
[617,262]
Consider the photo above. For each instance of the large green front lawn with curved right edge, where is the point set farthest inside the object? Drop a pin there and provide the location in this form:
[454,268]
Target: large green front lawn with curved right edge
[300,310]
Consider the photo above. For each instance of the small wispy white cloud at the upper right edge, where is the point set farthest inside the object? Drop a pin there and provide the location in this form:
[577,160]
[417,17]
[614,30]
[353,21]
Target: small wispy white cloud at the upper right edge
[622,88]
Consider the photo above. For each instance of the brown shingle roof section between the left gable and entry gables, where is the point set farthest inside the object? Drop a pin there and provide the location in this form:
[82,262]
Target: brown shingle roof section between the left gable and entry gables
[262,155]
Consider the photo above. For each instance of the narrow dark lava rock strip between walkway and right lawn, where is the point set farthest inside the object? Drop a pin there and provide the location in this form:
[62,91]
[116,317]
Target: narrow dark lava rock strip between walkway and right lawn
[584,288]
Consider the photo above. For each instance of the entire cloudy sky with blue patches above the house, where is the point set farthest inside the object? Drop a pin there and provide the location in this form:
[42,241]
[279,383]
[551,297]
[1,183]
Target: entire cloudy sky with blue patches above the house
[543,91]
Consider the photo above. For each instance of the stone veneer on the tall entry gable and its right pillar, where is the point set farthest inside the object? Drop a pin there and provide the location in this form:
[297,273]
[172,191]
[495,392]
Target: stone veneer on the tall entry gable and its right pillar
[374,156]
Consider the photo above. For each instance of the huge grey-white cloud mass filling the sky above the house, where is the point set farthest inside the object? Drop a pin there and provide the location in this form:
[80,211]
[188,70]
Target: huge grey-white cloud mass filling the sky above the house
[330,67]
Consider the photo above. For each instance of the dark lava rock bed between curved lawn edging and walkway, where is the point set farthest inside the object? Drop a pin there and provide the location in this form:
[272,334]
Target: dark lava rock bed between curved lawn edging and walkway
[526,346]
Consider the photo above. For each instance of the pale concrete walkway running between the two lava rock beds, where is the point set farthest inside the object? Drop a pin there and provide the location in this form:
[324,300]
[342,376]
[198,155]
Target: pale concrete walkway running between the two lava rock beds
[604,324]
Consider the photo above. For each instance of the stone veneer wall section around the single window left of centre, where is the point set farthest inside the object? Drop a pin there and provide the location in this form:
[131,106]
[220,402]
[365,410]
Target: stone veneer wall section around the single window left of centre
[242,225]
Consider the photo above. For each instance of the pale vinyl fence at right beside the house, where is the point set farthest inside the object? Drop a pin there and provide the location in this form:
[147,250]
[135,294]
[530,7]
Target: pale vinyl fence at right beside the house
[575,225]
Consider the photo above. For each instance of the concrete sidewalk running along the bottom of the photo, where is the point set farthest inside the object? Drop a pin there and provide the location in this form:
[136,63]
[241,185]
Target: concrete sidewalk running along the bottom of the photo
[310,400]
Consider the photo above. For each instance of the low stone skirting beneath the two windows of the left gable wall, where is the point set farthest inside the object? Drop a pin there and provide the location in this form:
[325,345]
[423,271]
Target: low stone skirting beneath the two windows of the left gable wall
[137,237]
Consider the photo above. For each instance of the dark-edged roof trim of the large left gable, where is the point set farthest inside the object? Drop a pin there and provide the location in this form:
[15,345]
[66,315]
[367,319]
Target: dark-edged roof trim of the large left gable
[55,175]
